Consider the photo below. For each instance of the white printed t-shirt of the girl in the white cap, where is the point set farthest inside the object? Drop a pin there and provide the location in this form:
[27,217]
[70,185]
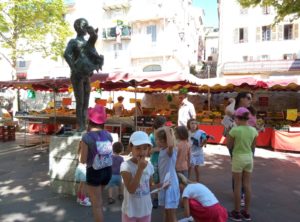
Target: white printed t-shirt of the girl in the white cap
[137,204]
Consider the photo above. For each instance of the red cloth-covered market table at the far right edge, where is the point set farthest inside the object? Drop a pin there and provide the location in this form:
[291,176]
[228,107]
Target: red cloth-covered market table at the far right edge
[282,140]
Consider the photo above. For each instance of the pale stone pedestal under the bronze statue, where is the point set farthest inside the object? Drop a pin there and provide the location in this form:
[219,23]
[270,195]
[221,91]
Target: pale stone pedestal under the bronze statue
[63,160]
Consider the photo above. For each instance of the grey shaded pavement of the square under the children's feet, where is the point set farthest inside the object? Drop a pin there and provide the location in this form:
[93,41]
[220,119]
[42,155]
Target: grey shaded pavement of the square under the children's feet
[25,195]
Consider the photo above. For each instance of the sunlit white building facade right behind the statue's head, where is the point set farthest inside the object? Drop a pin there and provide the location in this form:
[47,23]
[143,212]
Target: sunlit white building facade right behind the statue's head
[151,35]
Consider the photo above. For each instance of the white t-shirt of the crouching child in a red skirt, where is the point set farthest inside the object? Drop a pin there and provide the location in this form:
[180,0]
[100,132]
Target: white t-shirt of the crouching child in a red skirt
[200,193]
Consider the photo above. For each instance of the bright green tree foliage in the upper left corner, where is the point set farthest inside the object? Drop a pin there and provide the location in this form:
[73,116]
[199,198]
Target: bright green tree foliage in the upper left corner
[28,26]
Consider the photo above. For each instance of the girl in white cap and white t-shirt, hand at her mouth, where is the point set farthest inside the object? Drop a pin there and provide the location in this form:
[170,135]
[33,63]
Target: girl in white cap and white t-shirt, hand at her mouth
[137,173]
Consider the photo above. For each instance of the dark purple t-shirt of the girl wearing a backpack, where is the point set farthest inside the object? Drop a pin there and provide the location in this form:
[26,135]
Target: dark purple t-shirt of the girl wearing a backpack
[91,138]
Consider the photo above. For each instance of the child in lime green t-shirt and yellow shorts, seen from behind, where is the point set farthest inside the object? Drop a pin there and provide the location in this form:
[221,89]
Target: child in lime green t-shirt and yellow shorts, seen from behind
[242,140]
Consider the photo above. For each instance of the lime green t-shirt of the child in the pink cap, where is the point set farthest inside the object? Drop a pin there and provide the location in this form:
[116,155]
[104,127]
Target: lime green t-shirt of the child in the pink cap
[243,139]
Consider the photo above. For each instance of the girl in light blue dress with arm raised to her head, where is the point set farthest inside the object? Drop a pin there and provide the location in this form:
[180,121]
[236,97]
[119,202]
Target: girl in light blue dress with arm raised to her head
[168,197]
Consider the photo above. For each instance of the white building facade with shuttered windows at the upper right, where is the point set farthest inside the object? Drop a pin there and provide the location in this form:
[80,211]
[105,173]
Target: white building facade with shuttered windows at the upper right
[250,43]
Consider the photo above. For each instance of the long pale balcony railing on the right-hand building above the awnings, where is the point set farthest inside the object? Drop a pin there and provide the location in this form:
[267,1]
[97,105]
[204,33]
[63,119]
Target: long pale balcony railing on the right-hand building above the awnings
[255,67]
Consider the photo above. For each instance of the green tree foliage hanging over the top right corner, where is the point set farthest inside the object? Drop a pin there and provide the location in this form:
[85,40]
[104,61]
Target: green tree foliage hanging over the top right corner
[283,7]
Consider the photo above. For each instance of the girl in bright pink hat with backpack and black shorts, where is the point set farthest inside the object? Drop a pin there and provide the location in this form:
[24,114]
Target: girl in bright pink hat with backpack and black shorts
[96,152]
